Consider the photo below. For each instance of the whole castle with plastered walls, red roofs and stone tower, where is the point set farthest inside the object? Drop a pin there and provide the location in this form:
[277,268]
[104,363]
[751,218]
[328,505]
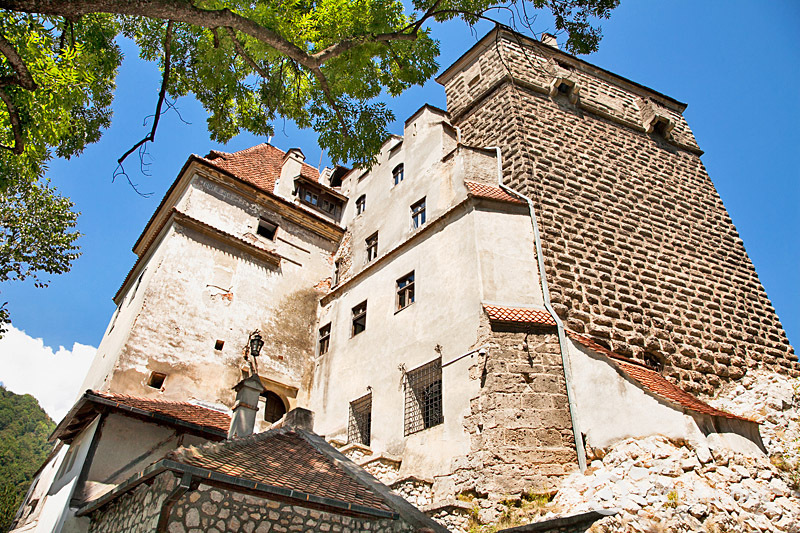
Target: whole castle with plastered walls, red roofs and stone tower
[542,268]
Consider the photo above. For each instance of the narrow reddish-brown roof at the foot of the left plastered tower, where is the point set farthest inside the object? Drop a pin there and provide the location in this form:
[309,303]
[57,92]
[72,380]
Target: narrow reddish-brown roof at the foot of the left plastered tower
[211,423]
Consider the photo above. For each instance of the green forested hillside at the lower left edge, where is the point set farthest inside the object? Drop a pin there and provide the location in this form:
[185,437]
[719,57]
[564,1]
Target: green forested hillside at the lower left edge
[24,427]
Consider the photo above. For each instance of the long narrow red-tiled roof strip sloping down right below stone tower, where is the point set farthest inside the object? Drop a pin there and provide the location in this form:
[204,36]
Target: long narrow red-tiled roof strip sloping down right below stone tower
[653,381]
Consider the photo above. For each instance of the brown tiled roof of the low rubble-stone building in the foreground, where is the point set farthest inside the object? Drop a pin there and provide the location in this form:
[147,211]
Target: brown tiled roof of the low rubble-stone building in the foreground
[281,458]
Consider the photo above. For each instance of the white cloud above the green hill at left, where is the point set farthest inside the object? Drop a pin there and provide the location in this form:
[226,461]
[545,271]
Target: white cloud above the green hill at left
[27,366]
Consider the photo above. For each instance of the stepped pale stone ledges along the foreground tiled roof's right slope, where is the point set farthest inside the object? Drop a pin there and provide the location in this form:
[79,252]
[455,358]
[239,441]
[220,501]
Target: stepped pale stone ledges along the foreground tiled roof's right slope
[451,512]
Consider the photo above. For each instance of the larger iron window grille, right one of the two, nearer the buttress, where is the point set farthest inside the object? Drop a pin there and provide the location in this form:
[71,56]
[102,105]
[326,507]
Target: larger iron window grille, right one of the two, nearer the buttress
[423,389]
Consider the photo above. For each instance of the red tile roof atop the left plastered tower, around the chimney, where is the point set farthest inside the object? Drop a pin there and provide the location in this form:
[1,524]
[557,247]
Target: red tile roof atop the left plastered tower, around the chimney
[258,165]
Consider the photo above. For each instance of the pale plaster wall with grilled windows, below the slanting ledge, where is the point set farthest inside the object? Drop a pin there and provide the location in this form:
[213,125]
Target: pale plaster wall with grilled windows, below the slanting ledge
[446,312]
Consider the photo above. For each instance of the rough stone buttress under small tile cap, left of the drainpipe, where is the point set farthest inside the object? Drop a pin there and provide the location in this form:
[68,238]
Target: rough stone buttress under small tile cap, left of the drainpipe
[519,425]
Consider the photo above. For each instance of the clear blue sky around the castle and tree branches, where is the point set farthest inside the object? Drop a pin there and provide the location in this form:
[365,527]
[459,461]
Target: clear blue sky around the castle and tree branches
[734,63]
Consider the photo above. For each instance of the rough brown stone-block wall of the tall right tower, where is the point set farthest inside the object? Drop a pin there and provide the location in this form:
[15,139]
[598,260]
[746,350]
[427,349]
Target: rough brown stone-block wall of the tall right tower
[640,252]
